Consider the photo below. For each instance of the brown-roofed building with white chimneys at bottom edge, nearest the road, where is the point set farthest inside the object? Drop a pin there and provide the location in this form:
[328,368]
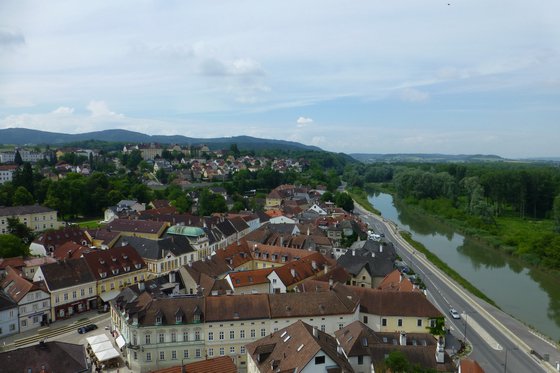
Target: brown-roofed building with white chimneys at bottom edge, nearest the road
[367,350]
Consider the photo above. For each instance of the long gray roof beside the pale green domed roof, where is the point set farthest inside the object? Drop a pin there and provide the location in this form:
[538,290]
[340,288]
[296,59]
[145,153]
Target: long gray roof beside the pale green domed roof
[156,249]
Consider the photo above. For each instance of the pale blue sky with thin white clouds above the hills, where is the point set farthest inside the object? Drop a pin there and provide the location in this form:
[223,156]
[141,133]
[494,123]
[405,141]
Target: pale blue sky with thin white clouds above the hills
[406,76]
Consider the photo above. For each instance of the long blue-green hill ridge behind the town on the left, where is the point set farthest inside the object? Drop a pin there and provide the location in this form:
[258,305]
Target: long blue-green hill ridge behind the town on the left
[25,136]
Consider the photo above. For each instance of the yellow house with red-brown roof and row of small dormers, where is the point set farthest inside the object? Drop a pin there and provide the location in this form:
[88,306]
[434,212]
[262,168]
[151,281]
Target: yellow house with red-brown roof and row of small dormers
[114,269]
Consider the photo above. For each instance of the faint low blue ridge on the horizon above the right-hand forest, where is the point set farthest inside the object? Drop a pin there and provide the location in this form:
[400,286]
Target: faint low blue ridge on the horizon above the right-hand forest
[417,157]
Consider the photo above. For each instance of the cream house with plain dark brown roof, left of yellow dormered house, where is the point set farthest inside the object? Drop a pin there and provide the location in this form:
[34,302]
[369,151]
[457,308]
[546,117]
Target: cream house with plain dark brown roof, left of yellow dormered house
[71,285]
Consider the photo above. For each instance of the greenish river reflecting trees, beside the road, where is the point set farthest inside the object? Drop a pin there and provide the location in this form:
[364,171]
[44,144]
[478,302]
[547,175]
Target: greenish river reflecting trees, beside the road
[528,294]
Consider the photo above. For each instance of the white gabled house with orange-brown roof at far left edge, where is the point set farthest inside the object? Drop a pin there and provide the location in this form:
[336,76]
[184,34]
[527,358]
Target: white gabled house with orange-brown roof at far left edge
[33,302]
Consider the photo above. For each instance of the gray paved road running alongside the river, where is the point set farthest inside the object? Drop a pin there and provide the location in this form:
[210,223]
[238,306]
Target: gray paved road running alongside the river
[494,346]
